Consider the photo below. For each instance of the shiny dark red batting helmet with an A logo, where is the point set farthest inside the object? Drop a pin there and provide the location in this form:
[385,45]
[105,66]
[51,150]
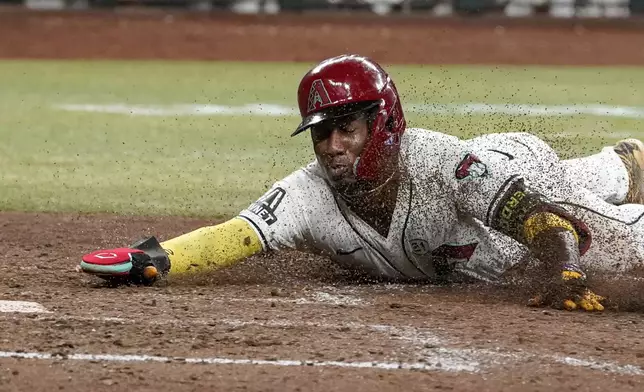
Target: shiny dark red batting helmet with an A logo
[348,84]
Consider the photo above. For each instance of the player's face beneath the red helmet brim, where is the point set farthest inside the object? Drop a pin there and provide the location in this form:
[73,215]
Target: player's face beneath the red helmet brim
[337,144]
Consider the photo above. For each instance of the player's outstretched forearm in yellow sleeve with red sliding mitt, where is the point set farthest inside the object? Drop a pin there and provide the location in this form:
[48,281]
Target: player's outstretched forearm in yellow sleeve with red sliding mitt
[207,248]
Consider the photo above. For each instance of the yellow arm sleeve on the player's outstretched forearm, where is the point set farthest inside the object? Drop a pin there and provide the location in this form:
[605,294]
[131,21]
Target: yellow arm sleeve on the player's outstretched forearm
[212,247]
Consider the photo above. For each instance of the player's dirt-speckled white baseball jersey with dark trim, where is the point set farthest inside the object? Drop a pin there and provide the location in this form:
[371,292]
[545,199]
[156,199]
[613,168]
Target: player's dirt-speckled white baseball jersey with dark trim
[449,195]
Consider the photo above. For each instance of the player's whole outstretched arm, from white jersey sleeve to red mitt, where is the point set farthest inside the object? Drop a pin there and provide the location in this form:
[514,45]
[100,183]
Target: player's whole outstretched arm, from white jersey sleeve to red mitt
[274,221]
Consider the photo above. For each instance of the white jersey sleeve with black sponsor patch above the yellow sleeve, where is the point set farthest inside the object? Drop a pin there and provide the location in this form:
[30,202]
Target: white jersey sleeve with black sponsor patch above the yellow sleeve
[277,218]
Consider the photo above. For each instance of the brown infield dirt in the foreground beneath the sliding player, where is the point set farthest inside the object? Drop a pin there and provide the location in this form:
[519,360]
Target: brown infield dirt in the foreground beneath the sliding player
[281,322]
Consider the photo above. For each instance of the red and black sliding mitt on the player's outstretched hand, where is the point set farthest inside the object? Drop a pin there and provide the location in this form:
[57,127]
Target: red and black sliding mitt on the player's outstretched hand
[142,263]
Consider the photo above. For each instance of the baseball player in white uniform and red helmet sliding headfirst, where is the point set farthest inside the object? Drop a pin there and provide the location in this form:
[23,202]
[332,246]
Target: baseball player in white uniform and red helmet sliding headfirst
[410,204]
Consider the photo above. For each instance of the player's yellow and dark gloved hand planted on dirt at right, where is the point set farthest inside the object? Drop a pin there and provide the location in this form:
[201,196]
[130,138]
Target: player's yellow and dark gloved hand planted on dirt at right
[569,291]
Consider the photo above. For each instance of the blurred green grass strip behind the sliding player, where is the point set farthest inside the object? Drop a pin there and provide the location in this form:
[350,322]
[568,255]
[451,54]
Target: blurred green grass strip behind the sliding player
[52,160]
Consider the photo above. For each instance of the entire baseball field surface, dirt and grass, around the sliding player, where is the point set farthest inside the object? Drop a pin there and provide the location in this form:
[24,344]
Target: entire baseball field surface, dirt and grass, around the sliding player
[117,126]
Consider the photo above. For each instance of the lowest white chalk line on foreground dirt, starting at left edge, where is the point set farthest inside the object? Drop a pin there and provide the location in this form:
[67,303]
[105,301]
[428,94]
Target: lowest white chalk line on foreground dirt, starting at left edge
[224,361]
